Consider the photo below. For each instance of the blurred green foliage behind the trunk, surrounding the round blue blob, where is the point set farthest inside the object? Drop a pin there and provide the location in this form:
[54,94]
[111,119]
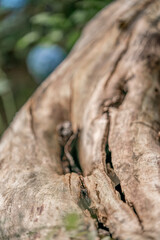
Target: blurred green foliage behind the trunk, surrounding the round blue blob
[41,22]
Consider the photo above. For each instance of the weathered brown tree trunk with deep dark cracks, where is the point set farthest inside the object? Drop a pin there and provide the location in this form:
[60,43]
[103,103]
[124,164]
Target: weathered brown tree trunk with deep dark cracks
[83,154]
